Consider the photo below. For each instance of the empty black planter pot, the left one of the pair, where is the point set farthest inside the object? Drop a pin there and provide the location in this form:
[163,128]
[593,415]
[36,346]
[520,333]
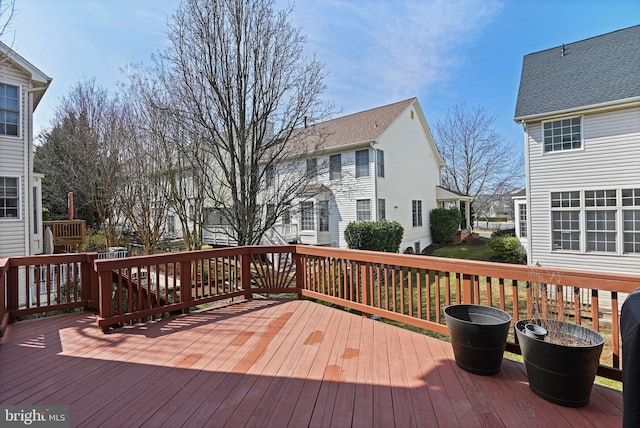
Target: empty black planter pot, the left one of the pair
[478,336]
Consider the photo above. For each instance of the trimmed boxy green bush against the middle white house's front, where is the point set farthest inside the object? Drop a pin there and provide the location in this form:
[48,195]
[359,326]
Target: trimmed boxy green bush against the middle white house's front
[380,235]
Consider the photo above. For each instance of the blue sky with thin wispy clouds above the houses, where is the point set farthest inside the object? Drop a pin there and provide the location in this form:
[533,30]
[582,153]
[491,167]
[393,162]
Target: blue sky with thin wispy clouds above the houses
[445,52]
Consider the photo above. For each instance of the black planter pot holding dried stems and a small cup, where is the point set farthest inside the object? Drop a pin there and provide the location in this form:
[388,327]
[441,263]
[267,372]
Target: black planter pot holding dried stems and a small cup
[561,373]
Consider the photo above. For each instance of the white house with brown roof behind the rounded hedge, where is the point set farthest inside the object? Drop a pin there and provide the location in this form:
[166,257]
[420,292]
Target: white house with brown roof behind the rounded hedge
[381,164]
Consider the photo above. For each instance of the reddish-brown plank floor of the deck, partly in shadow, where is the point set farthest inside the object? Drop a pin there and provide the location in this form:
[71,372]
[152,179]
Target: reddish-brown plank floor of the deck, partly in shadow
[268,363]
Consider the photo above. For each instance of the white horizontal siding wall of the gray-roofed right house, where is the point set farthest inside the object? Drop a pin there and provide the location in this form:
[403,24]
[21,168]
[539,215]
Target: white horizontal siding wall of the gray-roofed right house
[609,159]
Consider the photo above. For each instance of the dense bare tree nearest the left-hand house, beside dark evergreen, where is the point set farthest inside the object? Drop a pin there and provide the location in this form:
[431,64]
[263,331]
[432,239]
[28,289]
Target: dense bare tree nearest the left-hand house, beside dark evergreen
[82,154]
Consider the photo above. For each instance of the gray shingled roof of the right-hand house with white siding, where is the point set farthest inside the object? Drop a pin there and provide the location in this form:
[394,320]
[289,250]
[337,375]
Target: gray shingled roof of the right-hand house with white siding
[601,69]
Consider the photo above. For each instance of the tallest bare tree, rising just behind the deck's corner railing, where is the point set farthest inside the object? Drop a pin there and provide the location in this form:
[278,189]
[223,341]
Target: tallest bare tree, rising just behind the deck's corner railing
[242,87]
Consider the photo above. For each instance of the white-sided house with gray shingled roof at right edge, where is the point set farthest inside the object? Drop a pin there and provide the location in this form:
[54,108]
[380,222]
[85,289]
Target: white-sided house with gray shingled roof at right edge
[579,105]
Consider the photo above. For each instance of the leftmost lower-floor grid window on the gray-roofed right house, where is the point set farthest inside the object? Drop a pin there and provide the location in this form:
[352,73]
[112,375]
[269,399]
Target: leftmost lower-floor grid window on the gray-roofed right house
[565,222]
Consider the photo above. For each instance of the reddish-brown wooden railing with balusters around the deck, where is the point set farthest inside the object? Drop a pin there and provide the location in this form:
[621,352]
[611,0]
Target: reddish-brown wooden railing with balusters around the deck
[413,290]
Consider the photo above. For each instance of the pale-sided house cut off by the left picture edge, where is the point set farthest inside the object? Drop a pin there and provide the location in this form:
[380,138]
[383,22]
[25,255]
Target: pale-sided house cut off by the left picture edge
[21,88]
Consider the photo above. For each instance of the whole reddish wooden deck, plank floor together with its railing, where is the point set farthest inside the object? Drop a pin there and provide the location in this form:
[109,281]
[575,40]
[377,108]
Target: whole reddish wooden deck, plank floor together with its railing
[287,362]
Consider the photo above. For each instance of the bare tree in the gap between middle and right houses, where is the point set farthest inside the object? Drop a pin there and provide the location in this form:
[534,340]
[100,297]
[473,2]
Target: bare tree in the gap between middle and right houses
[478,160]
